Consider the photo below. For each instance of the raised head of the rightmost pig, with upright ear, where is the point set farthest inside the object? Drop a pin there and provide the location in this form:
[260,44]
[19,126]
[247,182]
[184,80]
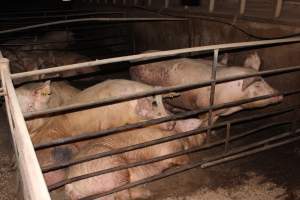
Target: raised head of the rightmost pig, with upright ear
[257,86]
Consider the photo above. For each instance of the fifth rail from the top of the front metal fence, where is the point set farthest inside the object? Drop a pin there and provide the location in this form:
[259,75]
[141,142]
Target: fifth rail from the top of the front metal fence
[160,158]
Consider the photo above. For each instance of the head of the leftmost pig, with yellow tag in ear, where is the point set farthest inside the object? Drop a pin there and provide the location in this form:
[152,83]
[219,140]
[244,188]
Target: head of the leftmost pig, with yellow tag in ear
[34,97]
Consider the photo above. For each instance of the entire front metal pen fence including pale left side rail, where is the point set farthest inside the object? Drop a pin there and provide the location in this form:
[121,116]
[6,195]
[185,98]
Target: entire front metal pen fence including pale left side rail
[274,141]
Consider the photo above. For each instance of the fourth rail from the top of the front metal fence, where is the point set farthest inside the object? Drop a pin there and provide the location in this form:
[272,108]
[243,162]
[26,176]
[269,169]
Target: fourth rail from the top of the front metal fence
[153,142]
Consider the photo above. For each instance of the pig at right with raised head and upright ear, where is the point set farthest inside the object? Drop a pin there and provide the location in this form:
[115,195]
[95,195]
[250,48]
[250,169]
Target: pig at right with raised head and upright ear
[187,71]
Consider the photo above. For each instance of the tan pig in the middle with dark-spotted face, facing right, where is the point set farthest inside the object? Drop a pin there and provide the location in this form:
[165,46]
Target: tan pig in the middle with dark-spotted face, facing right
[111,116]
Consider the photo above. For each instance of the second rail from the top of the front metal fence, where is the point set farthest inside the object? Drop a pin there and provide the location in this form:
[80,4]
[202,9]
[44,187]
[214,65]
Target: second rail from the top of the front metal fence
[158,91]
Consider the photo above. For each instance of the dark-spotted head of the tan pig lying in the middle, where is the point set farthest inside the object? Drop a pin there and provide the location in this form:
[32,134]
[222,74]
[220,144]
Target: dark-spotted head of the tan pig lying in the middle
[152,108]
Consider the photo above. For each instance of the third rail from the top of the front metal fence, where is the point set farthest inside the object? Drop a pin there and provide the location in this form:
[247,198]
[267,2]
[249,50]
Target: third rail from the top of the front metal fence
[87,136]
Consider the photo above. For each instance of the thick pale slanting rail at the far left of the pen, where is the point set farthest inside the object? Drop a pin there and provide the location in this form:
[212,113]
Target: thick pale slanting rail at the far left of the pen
[32,178]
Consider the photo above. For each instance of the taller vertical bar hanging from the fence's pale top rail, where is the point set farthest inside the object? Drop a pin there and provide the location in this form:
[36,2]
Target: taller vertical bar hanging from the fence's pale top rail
[212,91]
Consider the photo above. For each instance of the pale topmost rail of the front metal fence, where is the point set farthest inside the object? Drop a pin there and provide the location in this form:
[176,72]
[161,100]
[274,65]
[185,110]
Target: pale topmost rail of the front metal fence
[153,55]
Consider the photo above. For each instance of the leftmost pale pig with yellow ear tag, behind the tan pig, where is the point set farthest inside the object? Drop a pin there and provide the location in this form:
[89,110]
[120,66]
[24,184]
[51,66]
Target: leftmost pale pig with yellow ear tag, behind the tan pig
[39,96]
